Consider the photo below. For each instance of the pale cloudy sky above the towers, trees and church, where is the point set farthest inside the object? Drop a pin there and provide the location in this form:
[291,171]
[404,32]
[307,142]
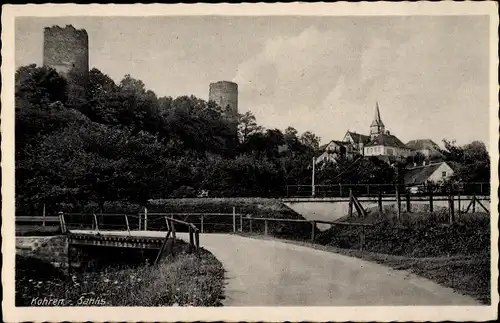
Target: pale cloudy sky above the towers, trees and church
[429,74]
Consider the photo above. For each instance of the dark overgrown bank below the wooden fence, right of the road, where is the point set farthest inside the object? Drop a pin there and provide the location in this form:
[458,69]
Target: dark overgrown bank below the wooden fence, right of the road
[414,235]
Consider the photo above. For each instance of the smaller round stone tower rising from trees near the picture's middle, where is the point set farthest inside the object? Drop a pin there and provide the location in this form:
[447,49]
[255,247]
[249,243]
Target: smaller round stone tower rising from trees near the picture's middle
[225,95]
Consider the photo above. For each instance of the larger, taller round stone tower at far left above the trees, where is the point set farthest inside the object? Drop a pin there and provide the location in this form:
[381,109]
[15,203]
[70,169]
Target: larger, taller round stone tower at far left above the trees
[67,51]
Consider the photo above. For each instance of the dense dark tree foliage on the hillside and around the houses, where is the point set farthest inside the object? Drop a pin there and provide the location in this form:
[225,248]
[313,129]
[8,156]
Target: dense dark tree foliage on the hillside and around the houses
[121,142]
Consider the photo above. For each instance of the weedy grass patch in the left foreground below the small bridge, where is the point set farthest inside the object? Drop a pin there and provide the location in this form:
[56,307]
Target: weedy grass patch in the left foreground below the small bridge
[183,280]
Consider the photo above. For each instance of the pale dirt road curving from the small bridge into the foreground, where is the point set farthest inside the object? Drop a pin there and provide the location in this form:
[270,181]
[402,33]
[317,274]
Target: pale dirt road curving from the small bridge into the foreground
[272,273]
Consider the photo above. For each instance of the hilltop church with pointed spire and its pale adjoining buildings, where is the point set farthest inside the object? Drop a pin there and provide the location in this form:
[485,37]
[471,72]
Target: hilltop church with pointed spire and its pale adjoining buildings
[380,143]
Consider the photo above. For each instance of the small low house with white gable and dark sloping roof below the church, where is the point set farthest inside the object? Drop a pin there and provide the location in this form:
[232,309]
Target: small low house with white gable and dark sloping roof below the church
[430,173]
